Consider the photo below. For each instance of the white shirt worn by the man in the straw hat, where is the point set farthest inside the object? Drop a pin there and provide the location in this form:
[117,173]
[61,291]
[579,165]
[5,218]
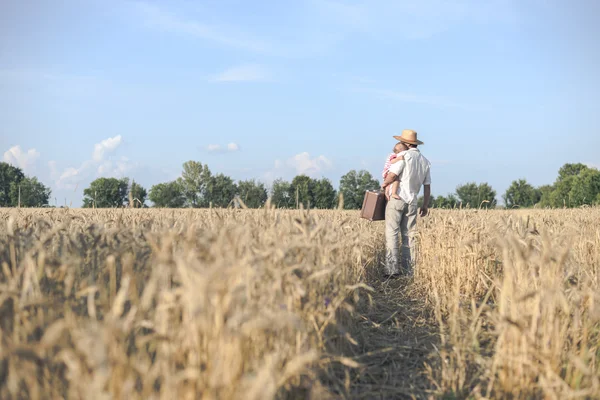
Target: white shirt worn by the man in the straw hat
[413,172]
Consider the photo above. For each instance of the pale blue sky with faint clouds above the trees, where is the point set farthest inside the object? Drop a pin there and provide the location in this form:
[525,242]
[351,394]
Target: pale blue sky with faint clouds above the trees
[498,90]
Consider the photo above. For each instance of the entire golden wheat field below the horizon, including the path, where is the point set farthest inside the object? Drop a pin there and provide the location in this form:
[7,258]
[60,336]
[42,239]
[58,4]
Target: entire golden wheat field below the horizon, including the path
[271,304]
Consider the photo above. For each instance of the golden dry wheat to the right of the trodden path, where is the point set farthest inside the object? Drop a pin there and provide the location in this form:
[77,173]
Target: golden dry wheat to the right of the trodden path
[517,300]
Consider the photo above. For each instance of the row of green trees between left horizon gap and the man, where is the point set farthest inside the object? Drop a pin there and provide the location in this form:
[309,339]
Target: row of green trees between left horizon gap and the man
[199,187]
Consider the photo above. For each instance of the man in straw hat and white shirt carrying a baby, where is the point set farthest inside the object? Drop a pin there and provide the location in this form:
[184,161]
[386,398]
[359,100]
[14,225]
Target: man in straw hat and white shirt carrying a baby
[401,214]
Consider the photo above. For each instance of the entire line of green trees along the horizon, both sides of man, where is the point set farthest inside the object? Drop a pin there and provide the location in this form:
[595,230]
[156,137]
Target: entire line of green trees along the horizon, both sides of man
[197,187]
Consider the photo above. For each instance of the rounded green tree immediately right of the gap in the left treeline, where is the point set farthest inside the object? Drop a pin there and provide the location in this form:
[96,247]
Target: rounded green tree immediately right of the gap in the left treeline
[106,193]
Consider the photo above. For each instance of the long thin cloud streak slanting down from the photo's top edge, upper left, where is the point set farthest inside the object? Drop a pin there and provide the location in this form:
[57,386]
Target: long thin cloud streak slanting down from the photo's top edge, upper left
[166,21]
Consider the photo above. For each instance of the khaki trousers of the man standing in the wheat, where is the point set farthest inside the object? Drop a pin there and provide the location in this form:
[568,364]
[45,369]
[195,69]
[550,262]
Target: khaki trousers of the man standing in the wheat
[400,218]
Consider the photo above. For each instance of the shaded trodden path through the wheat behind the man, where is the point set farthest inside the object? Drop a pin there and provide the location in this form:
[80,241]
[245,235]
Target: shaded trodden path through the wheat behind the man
[395,336]
